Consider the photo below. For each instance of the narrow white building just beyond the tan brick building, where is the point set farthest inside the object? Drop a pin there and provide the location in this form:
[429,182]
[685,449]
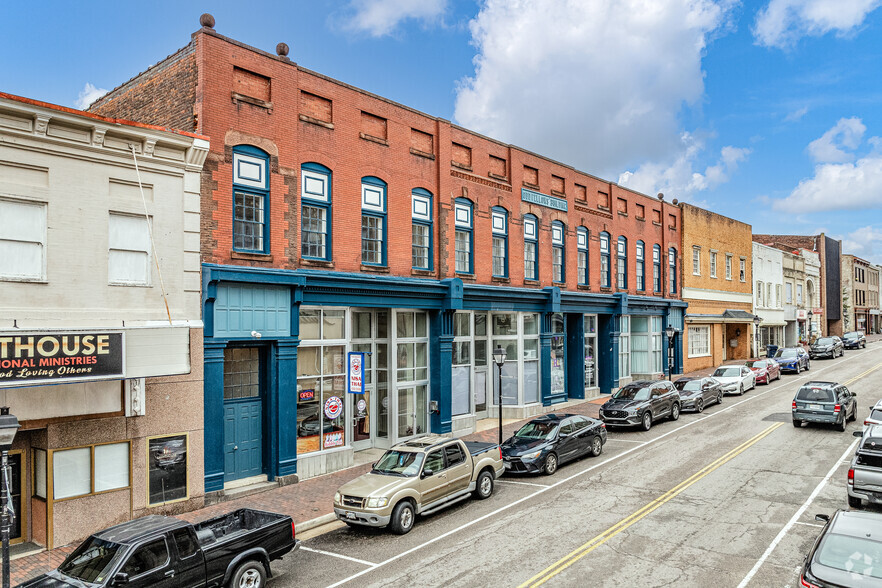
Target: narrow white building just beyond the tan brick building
[768,293]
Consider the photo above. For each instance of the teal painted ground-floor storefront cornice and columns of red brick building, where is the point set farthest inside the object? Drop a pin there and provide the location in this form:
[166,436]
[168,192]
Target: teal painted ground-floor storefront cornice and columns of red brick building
[242,302]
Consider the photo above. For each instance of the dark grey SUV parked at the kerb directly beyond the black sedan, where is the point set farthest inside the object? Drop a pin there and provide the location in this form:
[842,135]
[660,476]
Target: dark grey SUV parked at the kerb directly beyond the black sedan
[641,403]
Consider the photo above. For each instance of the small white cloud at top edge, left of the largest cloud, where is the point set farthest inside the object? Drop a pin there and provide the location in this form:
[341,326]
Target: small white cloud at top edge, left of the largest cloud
[379,18]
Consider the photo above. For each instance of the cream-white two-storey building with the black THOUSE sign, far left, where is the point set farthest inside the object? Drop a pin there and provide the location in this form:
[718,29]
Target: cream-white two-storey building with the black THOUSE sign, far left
[103,371]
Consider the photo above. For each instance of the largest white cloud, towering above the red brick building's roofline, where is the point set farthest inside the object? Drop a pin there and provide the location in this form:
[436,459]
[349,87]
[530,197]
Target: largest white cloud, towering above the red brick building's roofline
[598,84]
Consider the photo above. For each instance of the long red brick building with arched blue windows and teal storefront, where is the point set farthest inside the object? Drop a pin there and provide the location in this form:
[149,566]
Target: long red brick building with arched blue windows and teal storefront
[337,221]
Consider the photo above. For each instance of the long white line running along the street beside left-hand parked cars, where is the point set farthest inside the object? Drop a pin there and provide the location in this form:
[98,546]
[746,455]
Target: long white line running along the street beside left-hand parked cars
[586,470]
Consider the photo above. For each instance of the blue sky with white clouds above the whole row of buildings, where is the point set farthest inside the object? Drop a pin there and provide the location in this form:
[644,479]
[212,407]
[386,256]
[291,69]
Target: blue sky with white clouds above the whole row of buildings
[767,111]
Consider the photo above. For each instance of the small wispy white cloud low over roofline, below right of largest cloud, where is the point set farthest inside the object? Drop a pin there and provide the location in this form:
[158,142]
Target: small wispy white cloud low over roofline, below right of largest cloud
[679,178]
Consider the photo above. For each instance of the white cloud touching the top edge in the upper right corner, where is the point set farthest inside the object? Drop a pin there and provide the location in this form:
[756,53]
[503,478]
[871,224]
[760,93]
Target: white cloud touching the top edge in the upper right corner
[783,22]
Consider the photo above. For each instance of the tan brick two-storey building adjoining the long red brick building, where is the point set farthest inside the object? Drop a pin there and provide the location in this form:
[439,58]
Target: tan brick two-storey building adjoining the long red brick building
[716,278]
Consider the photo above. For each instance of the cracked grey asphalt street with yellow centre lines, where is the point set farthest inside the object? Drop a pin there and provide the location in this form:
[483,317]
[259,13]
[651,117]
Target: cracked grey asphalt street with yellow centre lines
[722,498]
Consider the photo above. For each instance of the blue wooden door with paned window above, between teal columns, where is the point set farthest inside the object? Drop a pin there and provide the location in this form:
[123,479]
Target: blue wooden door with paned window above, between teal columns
[243,413]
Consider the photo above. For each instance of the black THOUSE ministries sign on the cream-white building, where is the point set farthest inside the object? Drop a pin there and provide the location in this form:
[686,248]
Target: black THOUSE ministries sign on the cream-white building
[56,358]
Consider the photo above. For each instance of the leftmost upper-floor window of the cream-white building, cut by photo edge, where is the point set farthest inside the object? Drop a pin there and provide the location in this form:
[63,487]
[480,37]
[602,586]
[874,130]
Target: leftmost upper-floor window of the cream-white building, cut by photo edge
[22,241]
